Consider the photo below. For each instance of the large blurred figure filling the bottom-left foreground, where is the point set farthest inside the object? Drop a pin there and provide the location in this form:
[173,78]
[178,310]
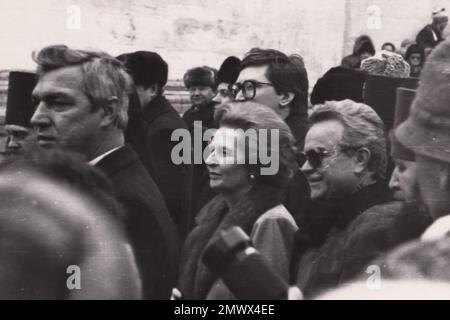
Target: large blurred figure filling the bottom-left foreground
[57,213]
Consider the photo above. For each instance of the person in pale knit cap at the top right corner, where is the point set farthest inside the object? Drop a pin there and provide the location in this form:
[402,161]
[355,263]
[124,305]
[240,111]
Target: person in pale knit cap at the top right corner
[431,34]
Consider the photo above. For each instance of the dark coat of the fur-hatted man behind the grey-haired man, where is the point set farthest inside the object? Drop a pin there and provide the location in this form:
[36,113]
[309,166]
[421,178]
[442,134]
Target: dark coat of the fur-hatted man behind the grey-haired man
[174,181]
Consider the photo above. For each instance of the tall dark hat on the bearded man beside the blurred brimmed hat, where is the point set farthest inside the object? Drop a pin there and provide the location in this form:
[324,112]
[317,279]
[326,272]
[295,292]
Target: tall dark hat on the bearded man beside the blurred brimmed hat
[403,103]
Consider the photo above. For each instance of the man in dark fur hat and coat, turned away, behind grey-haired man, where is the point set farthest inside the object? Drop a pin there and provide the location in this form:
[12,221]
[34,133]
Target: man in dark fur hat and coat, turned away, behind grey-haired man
[149,72]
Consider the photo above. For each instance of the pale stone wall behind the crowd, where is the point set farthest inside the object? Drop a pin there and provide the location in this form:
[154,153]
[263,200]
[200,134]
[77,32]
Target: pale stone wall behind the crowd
[203,32]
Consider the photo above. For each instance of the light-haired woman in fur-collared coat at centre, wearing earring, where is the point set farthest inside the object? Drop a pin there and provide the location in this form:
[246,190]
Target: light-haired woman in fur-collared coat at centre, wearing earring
[250,190]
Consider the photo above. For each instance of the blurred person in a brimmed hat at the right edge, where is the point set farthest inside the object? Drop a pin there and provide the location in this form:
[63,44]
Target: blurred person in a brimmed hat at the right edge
[425,132]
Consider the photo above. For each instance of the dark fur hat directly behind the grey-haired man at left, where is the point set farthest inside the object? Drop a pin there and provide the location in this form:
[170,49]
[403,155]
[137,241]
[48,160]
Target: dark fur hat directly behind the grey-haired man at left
[146,68]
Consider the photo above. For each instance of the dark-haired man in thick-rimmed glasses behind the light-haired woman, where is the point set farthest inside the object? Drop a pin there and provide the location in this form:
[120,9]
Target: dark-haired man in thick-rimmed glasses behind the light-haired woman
[278,81]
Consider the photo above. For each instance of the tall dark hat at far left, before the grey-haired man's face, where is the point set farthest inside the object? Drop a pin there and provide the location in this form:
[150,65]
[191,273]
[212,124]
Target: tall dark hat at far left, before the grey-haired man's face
[19,106]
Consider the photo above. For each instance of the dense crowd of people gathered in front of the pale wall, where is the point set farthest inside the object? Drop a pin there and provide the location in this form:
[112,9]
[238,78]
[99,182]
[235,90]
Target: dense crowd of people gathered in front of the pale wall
[88,178]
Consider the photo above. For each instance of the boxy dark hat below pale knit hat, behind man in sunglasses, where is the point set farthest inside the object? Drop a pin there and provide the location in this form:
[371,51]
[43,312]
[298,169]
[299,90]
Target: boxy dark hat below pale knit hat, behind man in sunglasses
[380,93]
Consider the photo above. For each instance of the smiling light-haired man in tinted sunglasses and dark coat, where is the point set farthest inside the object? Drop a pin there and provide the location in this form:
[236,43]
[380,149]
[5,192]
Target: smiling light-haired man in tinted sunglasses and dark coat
[353,217]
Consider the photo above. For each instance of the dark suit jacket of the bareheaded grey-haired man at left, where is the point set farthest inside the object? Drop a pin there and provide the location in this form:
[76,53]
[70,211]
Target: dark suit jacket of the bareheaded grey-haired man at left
[150,229]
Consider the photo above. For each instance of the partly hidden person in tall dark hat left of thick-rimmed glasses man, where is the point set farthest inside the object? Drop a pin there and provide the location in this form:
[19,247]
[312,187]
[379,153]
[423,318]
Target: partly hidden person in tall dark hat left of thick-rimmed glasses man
[226,76]
